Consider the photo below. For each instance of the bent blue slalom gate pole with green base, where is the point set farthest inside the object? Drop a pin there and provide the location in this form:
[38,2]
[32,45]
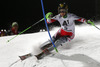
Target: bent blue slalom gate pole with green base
[47,26]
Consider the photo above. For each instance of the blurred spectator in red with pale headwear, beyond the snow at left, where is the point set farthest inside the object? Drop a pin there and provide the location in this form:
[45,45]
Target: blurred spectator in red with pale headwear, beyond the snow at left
[14,29]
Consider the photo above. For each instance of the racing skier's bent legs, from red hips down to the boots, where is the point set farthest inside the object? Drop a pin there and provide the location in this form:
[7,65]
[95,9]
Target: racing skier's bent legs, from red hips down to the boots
[60,37]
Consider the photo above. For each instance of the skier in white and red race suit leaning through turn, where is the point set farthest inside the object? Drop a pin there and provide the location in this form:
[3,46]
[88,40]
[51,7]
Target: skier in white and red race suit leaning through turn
[65,33]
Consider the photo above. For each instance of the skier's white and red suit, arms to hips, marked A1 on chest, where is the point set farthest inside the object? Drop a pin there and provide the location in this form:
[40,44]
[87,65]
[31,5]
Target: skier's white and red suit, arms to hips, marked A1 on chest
[67,25]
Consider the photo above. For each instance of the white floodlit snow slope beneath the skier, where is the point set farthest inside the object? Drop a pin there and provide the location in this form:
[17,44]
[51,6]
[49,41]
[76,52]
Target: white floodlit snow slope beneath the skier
[82,51]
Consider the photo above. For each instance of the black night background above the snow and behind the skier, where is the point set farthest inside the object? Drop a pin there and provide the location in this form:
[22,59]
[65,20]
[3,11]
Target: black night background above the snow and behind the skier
[28,12]
